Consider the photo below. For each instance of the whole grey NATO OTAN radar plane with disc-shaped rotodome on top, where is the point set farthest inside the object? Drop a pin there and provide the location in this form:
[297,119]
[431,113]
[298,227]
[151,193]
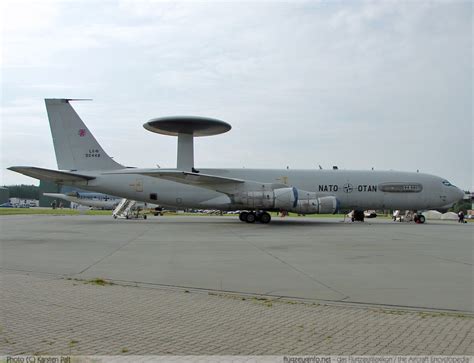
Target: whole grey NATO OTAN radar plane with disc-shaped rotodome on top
[82,162]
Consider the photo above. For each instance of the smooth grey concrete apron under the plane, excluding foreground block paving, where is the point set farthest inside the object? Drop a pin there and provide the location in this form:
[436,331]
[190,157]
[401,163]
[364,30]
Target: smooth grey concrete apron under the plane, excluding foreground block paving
[376,262]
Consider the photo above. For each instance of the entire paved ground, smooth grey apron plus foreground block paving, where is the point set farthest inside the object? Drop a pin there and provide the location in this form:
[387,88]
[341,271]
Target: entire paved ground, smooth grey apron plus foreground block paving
[214,285]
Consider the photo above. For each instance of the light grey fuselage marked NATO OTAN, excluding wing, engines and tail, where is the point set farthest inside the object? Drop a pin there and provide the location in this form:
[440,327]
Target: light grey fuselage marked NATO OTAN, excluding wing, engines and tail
[353,189]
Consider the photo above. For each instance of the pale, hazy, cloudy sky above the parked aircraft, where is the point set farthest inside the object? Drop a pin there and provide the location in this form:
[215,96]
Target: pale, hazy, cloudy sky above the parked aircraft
[359,84]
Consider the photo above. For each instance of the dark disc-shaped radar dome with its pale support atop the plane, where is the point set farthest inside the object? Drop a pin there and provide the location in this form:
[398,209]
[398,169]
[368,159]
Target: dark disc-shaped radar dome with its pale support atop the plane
[186,128]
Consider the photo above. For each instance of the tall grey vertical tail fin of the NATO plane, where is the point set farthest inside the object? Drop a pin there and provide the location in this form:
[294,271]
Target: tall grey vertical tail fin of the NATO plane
[75,146]
